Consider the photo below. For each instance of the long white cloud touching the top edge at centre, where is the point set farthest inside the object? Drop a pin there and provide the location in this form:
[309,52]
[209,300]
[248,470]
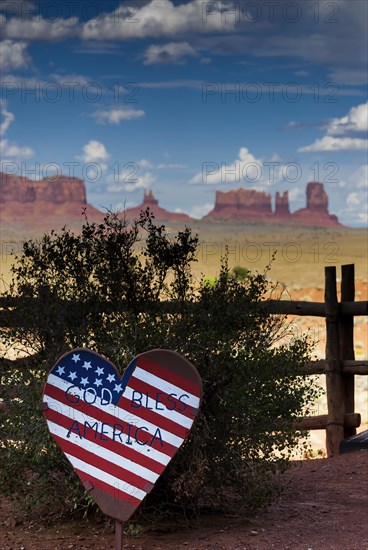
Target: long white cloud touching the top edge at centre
[159,18]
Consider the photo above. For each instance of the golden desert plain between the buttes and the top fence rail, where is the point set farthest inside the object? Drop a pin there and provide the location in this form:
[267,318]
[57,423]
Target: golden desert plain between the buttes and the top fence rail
[301,253]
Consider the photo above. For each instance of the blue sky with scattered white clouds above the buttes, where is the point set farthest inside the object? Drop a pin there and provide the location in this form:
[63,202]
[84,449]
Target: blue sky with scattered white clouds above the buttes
[188,97]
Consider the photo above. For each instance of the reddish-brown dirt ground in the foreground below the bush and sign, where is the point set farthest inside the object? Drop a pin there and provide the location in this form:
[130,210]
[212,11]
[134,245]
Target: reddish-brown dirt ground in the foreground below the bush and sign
[324,507]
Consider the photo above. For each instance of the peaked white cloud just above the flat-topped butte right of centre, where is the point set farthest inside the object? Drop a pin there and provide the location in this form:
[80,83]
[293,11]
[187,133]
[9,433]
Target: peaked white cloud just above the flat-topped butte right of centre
[246,168]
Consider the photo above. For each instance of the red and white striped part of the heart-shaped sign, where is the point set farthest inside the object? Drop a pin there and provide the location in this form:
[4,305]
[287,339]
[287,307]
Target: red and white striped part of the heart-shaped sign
[126,471]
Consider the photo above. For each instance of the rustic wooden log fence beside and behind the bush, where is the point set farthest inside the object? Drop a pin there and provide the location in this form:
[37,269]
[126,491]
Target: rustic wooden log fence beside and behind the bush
[339,366]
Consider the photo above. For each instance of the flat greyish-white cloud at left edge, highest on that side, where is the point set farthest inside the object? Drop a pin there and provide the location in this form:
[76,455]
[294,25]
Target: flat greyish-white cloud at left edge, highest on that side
[38,28]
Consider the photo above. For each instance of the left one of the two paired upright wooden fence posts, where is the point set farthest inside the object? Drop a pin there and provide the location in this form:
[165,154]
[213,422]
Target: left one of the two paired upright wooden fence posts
[334,379]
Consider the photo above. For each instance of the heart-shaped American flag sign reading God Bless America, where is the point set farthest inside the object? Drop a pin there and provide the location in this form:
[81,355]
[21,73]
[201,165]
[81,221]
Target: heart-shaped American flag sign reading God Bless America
[120,433]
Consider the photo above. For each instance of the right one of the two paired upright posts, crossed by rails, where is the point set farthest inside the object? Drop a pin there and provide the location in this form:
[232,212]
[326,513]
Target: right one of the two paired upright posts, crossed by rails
[346,327]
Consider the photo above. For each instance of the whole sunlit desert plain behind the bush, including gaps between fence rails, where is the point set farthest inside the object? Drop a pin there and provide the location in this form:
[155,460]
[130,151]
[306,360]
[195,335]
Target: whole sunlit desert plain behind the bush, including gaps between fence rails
[295,257]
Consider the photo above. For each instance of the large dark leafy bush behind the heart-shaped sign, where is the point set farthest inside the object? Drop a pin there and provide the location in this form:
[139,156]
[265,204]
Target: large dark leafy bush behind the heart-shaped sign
[103,288]
